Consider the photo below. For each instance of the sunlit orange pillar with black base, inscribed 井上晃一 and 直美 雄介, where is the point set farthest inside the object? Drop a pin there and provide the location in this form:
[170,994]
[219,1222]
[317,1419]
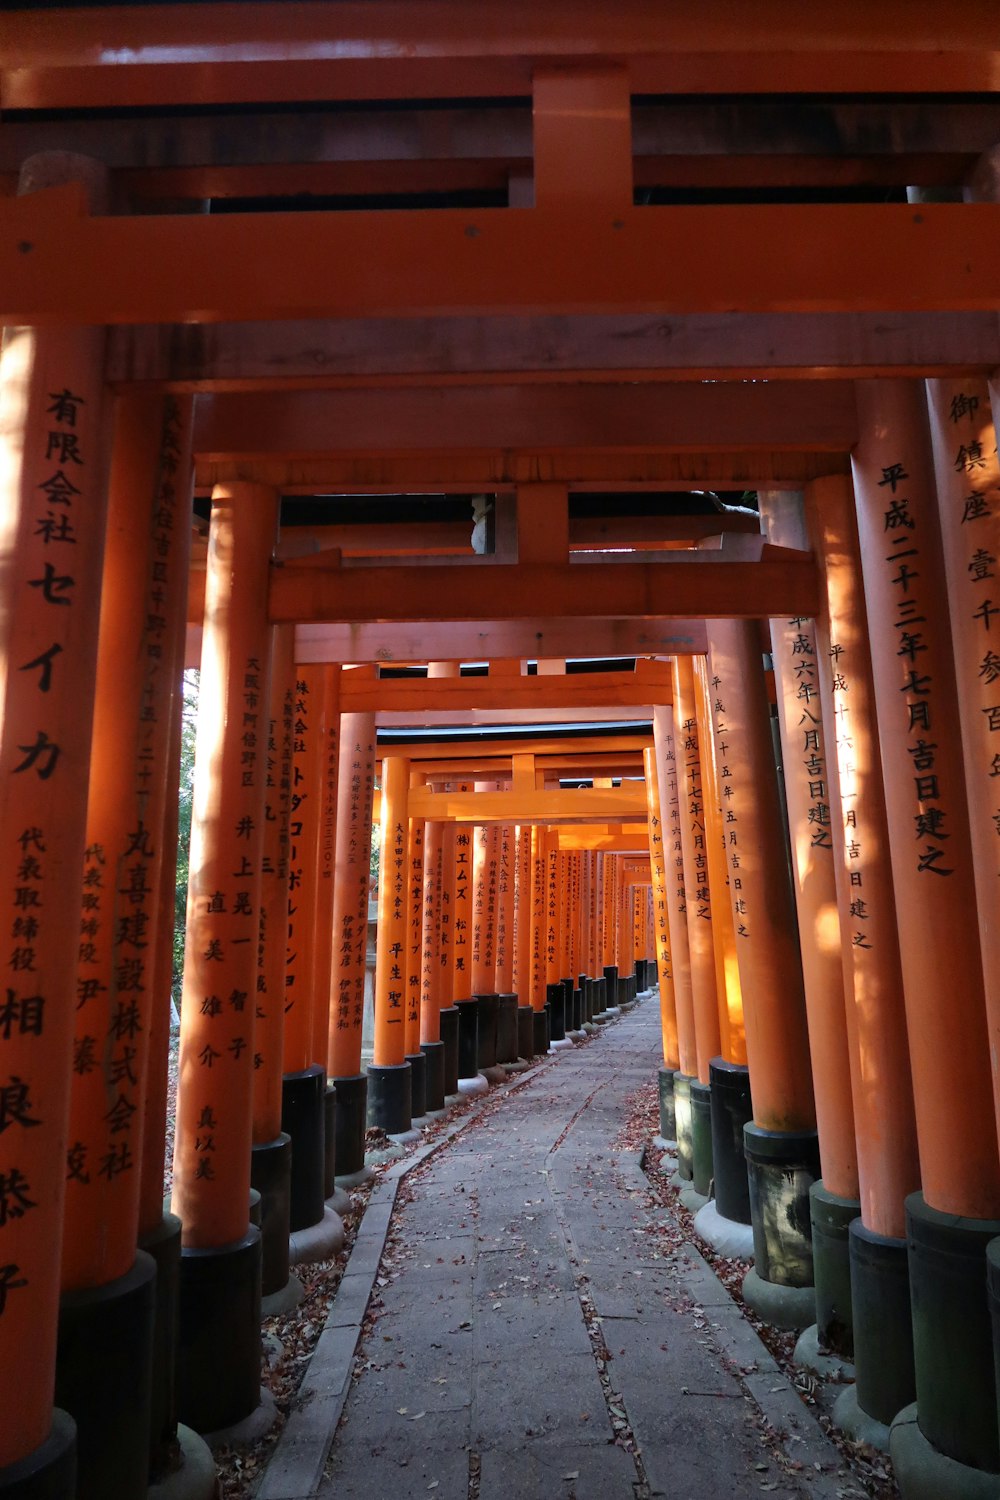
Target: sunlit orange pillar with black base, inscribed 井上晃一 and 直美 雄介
[220,1373]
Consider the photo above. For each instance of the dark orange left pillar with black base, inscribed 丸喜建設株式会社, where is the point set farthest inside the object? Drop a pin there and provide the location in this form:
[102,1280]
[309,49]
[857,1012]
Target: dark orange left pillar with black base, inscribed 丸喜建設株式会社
[109,1304]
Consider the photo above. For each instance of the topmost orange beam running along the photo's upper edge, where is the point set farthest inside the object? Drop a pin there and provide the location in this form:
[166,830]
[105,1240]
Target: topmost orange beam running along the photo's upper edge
[379,50]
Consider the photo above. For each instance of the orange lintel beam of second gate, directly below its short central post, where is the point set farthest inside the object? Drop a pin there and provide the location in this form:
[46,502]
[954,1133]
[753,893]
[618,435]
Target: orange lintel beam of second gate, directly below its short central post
[504,592]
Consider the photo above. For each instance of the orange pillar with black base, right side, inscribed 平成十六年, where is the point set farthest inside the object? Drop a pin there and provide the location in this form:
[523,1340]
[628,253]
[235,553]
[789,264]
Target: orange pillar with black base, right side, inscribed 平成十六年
[882,1091]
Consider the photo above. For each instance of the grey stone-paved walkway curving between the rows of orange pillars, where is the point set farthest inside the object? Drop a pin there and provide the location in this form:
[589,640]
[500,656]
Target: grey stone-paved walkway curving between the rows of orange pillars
[534,1339]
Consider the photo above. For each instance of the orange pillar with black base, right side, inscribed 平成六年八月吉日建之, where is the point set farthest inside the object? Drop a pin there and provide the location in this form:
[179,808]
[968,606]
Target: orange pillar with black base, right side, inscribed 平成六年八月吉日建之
[810,799]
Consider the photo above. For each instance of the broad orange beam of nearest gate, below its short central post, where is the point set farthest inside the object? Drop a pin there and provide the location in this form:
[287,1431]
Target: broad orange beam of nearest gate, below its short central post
[406,263]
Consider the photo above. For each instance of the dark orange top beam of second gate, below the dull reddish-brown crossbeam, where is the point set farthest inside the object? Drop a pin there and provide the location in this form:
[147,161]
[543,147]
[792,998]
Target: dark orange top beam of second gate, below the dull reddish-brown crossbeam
[686,416]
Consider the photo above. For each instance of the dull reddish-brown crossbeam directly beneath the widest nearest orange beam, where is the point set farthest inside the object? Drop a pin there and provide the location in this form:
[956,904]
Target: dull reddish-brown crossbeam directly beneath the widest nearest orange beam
[232,356]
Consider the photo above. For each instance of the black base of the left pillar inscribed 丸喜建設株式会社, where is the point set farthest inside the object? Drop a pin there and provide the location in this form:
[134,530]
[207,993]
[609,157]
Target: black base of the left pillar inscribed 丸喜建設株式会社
[104,1381]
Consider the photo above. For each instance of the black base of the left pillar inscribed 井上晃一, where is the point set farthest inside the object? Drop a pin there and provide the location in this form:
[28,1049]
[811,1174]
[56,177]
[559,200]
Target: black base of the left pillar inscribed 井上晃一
[220,1334]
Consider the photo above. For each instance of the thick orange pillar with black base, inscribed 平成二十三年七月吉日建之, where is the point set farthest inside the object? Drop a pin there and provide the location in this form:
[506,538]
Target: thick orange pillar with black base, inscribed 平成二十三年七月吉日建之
[918,709]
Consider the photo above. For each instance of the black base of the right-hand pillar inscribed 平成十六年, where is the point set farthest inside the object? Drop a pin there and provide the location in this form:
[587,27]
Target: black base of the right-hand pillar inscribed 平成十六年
[882,1327]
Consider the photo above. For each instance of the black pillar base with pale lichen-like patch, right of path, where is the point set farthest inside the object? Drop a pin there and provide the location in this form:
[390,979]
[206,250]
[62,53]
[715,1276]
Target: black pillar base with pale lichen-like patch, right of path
[782,1168]
